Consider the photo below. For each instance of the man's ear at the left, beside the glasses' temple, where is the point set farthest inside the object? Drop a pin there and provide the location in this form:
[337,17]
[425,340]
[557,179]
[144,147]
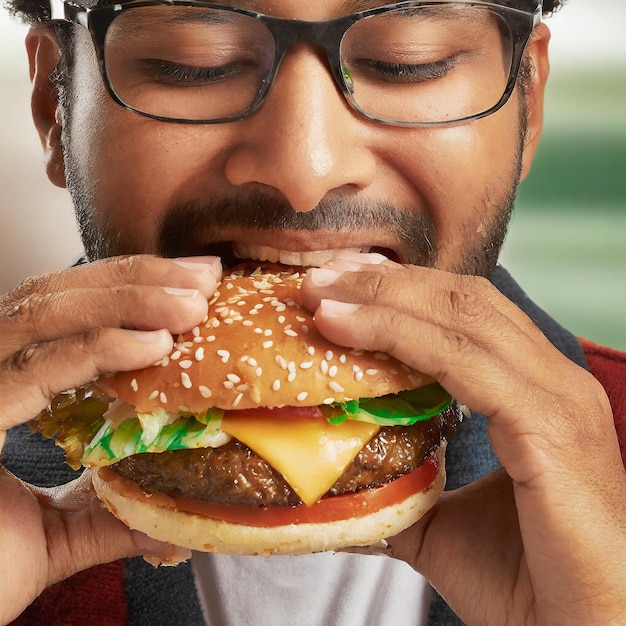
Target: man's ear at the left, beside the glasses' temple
[43,55]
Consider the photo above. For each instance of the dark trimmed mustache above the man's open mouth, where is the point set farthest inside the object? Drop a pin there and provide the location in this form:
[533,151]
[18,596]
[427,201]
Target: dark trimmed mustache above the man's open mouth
[192,225]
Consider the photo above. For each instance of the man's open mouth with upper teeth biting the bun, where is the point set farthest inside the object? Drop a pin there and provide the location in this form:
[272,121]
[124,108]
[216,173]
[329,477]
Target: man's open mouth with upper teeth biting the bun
[234,252]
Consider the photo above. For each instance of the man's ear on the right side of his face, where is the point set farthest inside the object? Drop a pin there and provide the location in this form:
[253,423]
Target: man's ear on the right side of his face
[537,50]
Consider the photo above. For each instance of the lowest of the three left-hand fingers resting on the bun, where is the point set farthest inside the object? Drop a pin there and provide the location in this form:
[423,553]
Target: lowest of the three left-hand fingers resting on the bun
[34,375]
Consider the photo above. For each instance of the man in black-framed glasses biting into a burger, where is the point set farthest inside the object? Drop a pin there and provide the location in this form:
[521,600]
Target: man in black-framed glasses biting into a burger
[404,132]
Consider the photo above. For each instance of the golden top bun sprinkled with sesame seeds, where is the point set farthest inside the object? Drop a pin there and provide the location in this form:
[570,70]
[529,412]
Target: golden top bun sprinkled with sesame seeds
[259,347]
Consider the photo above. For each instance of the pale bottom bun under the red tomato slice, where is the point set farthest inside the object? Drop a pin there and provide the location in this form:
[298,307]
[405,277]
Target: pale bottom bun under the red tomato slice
[206,534]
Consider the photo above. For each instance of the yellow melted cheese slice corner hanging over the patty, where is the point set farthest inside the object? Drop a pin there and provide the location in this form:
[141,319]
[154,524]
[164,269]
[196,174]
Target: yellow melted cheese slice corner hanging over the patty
[309,453]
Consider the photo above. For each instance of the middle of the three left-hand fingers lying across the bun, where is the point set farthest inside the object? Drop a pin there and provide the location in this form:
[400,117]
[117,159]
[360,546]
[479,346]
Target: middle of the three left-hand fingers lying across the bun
[41,318]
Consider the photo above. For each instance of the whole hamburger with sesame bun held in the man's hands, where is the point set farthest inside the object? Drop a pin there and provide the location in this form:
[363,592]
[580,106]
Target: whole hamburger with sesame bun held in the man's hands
[256,435]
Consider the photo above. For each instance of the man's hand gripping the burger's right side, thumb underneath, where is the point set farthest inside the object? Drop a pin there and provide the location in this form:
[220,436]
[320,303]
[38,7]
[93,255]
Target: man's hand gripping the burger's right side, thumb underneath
[542,541]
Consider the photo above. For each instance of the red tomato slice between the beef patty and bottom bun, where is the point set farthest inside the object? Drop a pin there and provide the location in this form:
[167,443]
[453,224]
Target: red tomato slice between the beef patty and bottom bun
[333,508]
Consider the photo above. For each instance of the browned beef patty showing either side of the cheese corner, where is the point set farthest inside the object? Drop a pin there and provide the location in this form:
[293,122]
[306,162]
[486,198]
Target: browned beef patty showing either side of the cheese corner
[234,474]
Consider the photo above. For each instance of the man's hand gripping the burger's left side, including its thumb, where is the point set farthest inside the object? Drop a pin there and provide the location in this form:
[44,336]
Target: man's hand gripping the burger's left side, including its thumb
[58,332]
